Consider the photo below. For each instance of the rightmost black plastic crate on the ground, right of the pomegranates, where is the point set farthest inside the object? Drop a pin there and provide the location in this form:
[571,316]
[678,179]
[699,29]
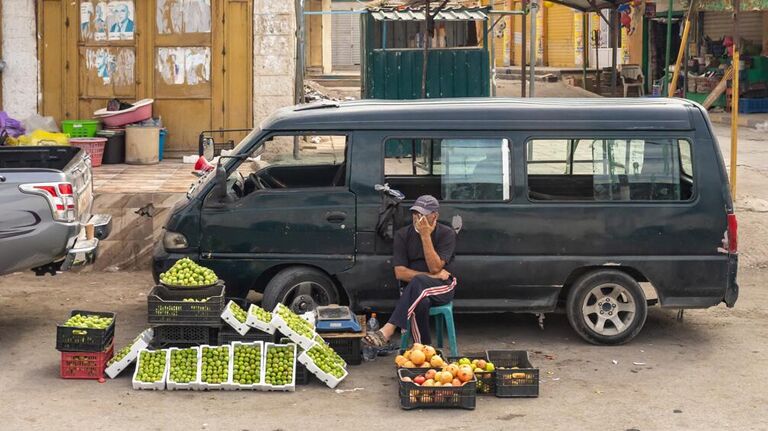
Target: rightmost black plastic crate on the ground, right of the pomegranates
[515,376]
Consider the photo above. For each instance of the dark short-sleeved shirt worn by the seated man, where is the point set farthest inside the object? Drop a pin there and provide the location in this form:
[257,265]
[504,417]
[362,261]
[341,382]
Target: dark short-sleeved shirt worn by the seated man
[409,251]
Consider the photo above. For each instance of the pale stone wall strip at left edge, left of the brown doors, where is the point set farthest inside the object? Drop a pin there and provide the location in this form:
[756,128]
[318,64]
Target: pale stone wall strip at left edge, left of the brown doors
[20,77]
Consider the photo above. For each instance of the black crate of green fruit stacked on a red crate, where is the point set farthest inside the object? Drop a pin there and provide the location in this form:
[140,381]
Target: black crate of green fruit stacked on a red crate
[85,351]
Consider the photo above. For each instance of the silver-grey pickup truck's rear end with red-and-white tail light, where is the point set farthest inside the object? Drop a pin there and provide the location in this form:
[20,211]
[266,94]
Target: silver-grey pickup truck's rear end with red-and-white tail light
[46,195]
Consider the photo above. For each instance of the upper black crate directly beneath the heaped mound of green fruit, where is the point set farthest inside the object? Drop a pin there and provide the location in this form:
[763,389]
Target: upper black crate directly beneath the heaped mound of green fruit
[165,306]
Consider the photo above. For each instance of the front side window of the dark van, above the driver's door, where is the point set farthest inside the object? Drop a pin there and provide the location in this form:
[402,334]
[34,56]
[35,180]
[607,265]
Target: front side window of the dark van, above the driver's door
[321,162]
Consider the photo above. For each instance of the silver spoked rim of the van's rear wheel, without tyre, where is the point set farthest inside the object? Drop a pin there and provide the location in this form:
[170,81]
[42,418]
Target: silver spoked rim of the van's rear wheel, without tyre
[609,309]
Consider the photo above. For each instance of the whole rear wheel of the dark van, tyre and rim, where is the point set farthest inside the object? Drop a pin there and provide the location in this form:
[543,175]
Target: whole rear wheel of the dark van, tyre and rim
[607,307]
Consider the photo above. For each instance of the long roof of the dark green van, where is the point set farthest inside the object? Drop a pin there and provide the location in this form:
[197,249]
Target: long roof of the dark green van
[487,114]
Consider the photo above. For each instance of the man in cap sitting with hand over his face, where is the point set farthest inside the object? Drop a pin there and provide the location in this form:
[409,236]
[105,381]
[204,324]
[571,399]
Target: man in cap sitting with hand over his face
[422,253]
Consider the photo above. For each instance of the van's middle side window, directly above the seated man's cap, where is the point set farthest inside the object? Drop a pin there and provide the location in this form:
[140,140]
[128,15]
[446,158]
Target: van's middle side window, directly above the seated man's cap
[449,169]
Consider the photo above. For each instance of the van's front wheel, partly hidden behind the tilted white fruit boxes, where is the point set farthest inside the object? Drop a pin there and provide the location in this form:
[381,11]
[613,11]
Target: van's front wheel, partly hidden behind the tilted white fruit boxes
[301,289]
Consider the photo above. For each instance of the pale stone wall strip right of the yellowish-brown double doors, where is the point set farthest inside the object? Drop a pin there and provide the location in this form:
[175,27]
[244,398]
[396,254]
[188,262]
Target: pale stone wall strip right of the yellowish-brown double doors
[274,56]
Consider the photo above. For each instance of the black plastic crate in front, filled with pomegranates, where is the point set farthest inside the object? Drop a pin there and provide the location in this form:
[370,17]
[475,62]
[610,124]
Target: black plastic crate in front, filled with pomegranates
[413,396]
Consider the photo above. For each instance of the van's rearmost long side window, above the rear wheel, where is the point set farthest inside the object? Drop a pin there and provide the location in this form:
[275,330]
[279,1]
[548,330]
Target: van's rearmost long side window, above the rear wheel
[609,169]
